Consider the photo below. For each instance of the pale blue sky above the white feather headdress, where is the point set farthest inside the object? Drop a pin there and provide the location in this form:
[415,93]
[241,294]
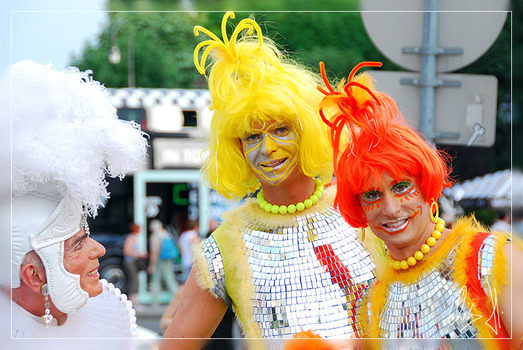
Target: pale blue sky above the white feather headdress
[47,32]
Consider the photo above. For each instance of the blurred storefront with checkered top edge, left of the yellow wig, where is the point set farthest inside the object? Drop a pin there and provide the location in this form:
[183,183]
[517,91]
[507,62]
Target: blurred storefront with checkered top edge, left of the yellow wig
[169,187]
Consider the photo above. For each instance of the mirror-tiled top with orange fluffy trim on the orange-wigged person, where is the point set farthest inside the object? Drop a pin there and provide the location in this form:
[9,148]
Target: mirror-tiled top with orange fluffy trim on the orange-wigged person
[447,297]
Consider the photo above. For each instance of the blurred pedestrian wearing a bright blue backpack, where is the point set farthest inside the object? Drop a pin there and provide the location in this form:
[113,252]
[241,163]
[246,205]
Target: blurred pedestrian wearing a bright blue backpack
[163,254]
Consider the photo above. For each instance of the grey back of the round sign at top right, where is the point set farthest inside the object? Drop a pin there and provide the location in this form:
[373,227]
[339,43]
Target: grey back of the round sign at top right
[472,25]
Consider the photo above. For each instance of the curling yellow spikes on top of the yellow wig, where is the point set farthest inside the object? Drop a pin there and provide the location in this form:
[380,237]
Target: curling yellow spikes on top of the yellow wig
[228,46]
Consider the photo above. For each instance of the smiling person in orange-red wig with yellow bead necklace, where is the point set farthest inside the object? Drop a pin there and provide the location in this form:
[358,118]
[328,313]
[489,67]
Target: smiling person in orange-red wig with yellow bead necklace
[437,282]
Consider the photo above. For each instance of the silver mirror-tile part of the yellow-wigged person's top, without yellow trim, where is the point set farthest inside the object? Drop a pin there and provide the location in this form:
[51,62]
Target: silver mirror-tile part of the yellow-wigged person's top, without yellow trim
[308,275]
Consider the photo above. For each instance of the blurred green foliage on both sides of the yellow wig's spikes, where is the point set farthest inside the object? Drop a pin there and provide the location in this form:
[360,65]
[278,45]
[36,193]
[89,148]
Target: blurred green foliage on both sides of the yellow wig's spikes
[164,43]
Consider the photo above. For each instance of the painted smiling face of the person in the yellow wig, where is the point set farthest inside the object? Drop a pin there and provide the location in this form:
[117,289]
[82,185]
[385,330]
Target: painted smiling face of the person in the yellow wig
[272,151]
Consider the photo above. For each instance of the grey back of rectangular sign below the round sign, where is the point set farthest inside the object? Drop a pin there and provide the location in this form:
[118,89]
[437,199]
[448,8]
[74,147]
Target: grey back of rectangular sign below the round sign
[464,114]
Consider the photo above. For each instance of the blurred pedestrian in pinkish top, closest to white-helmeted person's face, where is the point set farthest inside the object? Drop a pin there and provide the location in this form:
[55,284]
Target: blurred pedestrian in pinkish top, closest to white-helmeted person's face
[133,260]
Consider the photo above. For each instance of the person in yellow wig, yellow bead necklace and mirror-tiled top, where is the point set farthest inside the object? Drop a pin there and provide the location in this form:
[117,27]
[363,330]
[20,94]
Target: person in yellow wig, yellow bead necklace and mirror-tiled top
[285,260]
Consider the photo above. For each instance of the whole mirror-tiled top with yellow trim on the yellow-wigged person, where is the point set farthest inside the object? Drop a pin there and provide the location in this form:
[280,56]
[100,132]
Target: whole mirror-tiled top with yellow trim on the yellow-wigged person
[287,273]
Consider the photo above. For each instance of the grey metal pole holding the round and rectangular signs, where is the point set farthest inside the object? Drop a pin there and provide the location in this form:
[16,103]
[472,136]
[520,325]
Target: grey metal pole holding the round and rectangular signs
[428,69]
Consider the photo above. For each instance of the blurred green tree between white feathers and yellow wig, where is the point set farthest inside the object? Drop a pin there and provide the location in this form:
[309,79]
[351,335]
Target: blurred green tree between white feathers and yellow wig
[160,52]
